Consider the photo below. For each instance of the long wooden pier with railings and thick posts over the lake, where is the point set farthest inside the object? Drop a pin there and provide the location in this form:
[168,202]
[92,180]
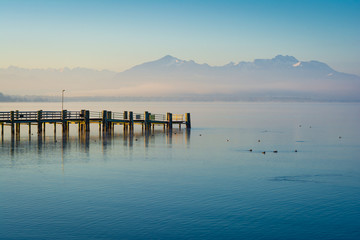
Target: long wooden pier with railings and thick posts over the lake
[105,119]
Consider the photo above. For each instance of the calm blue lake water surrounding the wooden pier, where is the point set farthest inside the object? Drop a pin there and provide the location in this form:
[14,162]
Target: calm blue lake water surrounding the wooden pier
[203,184]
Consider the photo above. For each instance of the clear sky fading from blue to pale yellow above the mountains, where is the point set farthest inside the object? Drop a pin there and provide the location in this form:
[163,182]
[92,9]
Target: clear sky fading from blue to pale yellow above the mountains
[117,35]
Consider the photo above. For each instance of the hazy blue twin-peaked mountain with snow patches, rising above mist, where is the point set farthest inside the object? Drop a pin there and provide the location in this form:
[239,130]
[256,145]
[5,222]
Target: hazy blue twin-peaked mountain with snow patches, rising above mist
[284,75]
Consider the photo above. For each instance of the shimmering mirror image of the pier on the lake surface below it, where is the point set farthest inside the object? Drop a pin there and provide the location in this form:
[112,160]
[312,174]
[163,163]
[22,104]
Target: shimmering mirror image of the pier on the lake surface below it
[38,149]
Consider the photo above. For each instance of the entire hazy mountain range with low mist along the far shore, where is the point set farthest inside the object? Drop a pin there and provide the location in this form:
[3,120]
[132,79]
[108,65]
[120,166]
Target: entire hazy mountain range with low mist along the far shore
[282,77]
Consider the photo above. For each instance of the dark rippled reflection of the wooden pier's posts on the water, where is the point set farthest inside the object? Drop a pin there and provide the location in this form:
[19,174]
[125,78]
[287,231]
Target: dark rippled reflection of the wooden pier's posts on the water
[48,147]
